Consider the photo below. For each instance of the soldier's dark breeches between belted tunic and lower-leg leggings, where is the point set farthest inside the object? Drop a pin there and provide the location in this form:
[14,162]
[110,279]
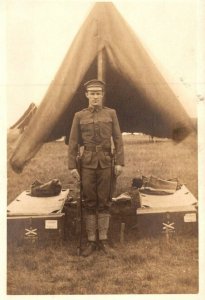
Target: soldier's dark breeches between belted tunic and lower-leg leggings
[96,189]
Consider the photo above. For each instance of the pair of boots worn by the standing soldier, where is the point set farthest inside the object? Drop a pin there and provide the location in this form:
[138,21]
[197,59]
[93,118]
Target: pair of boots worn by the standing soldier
[101,245]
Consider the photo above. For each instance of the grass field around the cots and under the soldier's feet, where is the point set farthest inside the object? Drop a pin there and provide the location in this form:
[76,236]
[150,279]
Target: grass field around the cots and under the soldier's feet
[143,265]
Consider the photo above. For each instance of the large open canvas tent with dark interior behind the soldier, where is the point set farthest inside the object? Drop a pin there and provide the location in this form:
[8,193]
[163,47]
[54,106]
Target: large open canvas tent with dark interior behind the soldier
[107,48]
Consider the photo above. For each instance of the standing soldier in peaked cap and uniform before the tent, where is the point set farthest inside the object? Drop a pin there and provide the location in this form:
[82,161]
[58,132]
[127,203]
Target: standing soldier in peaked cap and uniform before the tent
[94,128]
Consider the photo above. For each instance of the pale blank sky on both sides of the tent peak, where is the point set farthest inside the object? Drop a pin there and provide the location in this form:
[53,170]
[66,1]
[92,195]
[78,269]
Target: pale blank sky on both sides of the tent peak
[39,33]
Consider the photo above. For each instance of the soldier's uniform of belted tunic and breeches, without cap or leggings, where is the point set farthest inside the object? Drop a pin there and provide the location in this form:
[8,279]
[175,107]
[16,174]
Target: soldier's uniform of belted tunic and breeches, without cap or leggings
[94,128]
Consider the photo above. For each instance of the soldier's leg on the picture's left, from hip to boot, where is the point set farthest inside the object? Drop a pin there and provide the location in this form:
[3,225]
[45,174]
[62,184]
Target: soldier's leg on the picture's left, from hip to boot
[89,195]
